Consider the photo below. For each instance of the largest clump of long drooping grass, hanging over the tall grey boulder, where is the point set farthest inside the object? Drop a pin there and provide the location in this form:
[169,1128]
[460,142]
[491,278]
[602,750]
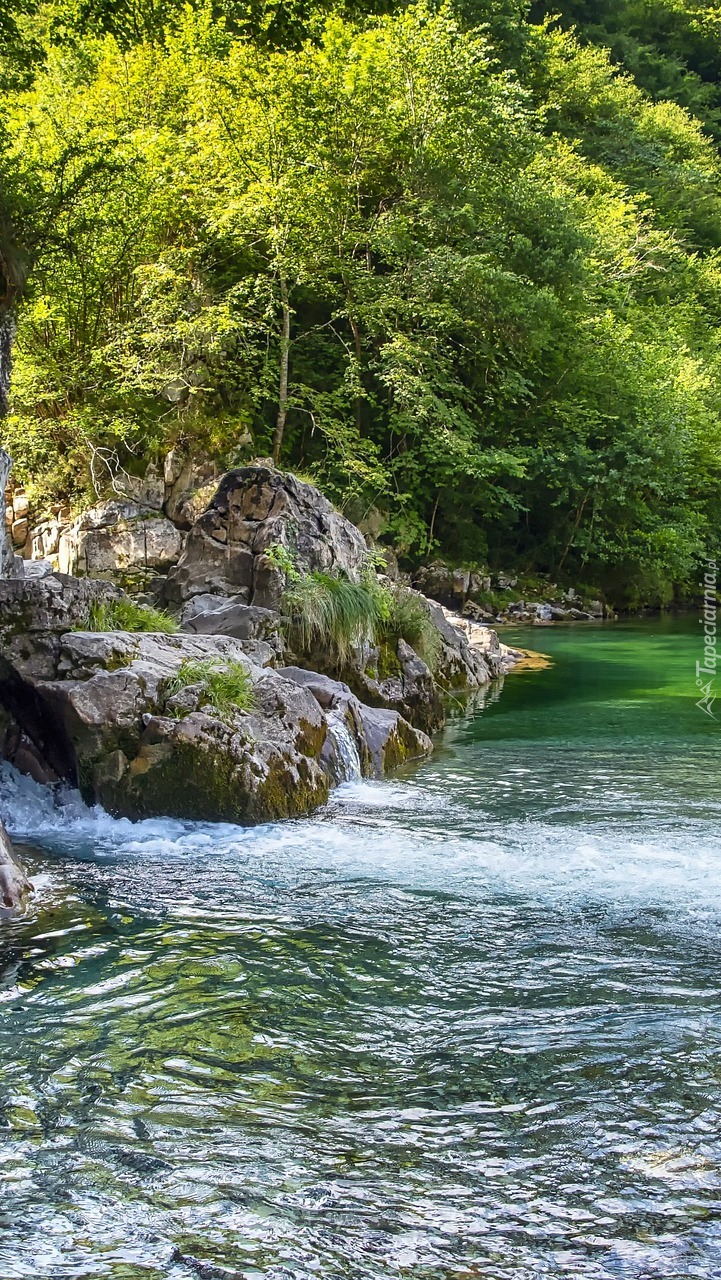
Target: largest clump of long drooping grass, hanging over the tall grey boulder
[330,612]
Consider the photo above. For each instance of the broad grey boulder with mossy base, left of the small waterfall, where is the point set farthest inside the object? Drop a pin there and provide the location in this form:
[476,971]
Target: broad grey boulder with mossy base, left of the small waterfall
[98,708]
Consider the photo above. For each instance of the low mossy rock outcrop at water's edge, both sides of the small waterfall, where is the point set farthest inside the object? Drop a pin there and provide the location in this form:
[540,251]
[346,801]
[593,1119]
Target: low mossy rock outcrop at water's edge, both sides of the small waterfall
[107,712]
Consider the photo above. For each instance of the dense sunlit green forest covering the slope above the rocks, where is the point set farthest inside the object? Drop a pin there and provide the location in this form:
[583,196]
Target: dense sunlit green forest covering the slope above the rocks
[459,264]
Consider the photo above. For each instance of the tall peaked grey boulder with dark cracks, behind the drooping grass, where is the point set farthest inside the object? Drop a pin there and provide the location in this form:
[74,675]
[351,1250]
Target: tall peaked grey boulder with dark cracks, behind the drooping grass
[257,509]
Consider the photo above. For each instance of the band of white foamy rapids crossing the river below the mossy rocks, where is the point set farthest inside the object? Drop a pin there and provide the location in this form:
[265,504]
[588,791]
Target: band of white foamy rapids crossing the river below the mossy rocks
[386,833]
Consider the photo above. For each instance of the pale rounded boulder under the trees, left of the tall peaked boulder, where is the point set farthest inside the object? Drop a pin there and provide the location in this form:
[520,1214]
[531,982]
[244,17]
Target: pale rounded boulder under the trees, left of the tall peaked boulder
[120,540]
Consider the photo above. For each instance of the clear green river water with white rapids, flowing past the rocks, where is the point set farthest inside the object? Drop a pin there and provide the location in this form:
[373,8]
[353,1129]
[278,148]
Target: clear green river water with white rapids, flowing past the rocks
[464,1025]
